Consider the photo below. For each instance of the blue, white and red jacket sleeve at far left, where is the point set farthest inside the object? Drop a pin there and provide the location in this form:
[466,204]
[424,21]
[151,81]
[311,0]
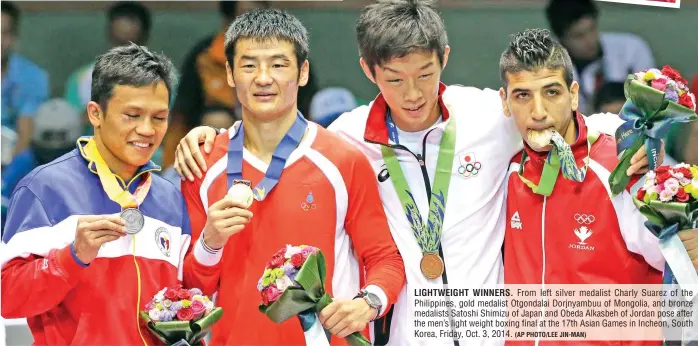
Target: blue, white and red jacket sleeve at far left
[33,284]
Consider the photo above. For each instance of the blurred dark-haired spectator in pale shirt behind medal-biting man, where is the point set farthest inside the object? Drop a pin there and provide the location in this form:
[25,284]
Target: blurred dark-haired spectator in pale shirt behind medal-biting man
[598,57]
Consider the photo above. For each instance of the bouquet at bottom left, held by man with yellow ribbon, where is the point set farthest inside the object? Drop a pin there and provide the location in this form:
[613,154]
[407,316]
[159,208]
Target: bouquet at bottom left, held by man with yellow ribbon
[179,316]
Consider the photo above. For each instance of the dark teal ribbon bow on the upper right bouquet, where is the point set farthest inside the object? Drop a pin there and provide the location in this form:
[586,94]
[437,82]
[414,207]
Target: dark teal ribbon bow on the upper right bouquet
[639,124]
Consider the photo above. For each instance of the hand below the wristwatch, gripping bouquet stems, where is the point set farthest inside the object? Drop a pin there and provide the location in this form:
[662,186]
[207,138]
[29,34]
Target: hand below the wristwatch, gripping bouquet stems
[343,317]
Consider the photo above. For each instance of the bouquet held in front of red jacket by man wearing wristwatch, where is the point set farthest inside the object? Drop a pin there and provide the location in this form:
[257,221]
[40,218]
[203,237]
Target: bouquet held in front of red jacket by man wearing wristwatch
[293,284]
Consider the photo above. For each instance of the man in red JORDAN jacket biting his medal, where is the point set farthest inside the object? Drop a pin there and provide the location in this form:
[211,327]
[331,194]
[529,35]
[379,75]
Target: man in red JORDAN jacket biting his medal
[580,233]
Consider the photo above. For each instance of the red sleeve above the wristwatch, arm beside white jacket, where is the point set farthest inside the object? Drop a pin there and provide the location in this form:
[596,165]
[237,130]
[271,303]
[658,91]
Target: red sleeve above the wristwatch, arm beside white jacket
[368,228]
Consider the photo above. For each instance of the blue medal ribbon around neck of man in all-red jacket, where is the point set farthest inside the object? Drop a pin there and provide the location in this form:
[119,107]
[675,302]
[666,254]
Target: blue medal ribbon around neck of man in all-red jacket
[278,161]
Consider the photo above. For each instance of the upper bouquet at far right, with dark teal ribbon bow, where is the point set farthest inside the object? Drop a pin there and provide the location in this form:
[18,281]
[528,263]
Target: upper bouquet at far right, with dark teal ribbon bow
[655,100]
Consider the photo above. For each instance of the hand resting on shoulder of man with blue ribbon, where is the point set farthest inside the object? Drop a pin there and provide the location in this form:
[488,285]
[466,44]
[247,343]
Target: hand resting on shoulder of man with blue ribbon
[188,158]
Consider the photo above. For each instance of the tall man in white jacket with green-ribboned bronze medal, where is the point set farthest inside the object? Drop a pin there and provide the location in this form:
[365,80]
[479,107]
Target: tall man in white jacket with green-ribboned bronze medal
[404,49]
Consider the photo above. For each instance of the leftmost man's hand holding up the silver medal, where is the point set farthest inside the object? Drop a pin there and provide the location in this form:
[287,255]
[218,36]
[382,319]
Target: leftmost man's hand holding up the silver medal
[95,230]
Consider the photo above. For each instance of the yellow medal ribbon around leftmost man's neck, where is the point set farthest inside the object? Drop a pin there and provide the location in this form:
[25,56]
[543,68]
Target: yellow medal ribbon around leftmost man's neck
[110,181]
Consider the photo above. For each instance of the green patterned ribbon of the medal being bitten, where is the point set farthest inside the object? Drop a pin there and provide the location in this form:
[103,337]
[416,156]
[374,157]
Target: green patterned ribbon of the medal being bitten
[559,156]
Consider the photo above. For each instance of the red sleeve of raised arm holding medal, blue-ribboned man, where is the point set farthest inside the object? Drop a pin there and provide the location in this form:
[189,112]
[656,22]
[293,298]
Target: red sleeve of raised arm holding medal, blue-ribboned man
[199,268]
